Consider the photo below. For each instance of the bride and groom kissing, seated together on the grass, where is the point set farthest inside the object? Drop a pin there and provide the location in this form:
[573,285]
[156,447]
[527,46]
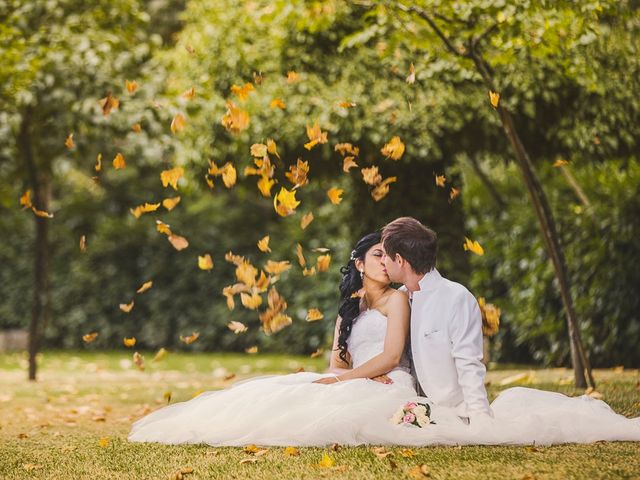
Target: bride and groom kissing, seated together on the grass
[405,369]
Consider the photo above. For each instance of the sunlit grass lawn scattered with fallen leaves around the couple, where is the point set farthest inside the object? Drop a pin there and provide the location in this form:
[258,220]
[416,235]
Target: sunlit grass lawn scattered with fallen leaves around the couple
[74,421]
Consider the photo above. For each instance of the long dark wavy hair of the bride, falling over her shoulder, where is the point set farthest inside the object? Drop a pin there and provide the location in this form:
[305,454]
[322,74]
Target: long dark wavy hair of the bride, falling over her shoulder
[352,282]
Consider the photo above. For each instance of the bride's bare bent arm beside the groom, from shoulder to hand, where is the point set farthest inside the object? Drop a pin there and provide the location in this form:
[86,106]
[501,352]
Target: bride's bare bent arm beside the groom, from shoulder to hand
[394,342]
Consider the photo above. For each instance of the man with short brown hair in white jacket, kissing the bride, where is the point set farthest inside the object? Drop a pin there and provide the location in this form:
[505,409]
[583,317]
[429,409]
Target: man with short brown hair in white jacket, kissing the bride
[446,324]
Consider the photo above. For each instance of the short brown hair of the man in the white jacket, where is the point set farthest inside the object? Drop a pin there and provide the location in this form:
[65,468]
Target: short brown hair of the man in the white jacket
[416,243]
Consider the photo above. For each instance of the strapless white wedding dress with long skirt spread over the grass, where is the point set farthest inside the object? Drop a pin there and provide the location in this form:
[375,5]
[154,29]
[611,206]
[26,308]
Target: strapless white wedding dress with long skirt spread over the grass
[291,410]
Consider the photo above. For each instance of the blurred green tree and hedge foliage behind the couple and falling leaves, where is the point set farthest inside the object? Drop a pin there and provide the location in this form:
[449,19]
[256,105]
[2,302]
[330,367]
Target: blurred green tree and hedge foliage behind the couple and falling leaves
[570,88]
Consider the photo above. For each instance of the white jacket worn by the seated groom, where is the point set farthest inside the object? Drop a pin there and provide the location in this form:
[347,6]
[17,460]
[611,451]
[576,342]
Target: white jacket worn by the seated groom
[446,345]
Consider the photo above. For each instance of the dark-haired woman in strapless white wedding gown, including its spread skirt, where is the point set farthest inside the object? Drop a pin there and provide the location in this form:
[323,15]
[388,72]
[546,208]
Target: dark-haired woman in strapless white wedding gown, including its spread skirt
[369,381]
